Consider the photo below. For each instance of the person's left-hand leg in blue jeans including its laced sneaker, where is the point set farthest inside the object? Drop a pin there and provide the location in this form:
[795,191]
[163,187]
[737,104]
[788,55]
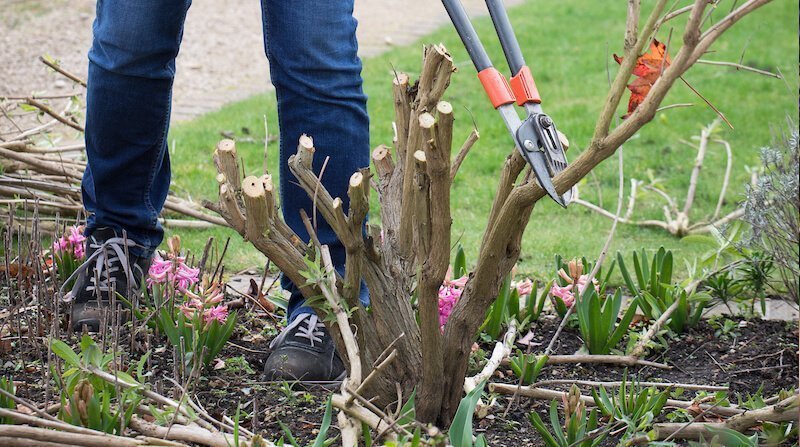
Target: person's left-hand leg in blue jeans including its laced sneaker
[131,68]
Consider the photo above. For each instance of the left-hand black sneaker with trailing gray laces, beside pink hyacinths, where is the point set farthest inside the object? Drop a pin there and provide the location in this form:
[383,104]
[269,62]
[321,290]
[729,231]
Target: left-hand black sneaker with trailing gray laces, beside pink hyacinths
[106,269]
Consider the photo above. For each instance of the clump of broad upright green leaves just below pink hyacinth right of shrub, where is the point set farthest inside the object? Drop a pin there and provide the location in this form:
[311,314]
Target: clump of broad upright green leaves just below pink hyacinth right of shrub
[597,320]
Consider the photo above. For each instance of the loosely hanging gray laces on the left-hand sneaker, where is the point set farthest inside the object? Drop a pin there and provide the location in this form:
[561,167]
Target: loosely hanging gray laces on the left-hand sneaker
[102,264]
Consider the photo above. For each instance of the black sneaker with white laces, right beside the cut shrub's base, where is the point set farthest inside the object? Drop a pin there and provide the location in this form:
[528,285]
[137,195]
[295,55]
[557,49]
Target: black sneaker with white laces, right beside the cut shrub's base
[304,352]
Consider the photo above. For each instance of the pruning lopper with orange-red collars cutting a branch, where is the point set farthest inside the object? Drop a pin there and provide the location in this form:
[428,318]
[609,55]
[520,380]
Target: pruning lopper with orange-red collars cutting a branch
[535,137]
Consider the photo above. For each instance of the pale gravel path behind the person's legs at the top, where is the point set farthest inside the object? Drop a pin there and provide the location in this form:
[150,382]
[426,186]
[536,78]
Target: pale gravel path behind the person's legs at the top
[221,59]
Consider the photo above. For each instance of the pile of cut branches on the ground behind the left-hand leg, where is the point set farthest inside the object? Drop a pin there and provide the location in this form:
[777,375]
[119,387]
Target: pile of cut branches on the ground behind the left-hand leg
[42,159]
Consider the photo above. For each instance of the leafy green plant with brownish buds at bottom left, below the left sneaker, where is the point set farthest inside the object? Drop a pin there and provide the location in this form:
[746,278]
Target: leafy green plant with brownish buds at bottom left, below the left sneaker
[89,401]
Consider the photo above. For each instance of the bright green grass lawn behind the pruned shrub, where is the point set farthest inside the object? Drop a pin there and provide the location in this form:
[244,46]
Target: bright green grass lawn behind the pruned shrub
[568,45]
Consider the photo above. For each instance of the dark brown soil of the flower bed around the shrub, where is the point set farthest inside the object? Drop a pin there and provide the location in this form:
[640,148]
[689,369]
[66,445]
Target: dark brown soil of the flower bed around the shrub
[757,355]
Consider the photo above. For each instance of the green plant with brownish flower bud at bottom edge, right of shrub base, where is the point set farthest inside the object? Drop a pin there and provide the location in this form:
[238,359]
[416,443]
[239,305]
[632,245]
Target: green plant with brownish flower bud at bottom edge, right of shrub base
[576,428]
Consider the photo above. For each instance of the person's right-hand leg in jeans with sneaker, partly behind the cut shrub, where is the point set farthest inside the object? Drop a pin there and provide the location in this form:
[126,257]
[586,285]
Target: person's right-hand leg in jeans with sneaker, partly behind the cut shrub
[312,49]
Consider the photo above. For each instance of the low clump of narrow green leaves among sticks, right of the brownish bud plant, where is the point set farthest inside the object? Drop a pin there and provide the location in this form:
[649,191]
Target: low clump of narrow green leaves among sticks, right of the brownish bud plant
[632,405]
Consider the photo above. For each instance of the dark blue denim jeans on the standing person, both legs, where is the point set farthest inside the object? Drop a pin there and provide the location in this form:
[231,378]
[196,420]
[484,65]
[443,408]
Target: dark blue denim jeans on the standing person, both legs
[314,66]
